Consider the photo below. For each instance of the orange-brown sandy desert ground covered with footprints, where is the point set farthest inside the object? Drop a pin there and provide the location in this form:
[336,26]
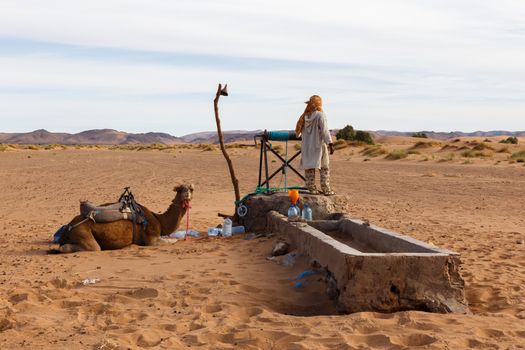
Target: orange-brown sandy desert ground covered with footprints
[223,293]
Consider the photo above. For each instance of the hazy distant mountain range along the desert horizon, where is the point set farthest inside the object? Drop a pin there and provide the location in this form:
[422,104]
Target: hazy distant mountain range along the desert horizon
[114,137]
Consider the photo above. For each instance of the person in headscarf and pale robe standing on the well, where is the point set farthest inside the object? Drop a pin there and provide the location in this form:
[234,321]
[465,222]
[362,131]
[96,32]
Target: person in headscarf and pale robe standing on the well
[316,142]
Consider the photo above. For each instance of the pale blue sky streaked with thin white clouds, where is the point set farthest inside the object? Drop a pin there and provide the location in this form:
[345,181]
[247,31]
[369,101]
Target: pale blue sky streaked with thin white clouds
[154,65]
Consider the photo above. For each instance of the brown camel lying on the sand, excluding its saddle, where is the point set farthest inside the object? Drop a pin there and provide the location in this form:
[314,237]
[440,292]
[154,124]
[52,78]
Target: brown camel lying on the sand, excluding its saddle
[92,236]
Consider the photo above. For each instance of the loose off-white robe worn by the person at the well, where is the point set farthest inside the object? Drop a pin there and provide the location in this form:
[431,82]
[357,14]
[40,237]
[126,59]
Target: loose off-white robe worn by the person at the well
[315,138]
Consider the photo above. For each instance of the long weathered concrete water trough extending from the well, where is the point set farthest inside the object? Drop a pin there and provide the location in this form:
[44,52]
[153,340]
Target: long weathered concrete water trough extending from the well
[375,269]
